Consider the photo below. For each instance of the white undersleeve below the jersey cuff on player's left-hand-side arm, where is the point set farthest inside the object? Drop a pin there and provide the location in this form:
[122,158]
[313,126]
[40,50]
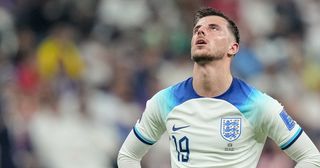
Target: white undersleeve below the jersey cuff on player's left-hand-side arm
[132,152]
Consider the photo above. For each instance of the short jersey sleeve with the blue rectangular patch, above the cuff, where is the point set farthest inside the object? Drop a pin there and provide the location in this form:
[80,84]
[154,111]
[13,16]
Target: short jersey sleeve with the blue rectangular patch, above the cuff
[277,124]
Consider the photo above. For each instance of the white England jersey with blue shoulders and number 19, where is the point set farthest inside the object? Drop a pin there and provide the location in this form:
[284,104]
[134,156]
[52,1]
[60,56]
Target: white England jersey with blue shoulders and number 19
[224,131]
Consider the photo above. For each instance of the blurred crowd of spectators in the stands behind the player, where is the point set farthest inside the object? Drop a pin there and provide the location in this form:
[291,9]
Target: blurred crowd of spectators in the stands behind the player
[75,75]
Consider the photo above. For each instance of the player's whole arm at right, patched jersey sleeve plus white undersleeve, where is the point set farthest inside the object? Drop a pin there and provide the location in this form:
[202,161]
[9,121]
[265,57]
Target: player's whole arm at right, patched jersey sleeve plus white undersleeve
[287,133]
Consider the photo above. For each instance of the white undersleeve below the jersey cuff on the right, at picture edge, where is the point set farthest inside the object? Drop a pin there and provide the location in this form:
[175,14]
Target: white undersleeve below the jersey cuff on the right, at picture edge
[304,152]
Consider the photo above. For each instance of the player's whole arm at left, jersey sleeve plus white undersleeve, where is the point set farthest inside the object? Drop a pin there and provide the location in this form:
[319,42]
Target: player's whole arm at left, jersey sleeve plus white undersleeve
[144,134]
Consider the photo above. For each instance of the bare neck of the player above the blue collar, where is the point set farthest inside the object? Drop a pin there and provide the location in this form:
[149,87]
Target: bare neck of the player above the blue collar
[211,79]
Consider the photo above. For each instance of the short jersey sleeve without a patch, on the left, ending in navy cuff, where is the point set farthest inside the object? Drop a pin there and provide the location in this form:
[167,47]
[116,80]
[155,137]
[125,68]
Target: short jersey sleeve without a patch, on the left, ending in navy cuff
[151,125]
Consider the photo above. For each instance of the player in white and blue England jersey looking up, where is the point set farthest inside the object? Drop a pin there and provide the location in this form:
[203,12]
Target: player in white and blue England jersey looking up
[214,119]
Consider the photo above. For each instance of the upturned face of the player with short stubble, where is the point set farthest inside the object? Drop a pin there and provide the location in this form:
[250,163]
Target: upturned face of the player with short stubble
[211,39]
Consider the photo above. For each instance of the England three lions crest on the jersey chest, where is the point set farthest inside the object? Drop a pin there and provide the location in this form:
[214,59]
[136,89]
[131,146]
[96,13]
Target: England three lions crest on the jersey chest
[230,128]
